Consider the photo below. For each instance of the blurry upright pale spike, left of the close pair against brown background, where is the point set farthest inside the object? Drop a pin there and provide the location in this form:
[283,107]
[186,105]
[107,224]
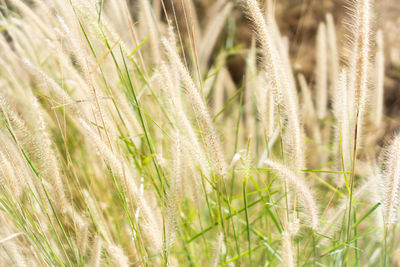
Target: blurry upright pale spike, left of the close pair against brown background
[321,72]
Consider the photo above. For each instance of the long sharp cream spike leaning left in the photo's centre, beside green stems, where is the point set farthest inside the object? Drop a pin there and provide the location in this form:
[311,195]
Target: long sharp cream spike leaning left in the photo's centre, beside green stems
[200,110]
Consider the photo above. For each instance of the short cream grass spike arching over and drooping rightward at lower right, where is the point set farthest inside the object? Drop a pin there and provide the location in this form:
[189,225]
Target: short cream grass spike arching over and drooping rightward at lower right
[301,189]
